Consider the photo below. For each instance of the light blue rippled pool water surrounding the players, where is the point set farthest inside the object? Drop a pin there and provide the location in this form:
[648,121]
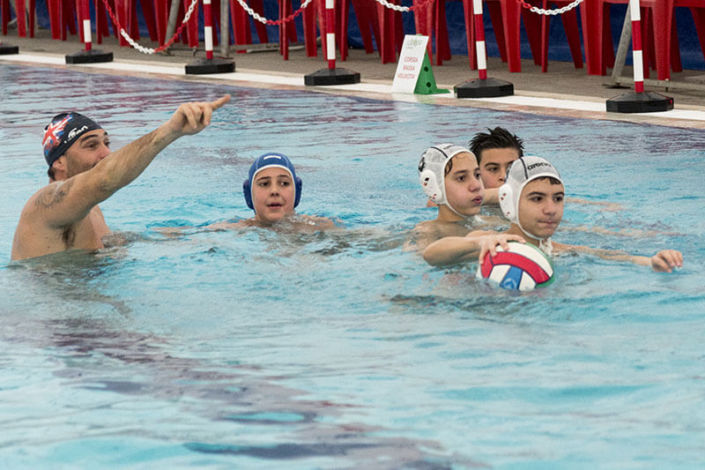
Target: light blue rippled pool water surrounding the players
[259,349]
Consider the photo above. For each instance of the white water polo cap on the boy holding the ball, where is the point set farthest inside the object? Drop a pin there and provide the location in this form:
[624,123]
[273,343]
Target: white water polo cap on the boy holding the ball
[522,171]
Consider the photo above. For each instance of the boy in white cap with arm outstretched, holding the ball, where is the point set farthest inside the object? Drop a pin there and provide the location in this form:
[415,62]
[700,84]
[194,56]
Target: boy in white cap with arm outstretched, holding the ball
[532,199]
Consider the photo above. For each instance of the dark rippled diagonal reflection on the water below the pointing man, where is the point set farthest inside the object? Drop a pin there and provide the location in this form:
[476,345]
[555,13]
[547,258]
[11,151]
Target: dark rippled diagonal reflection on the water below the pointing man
[98,354]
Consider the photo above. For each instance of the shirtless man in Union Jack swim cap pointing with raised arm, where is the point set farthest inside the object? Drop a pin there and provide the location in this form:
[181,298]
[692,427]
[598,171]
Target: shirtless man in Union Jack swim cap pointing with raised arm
[64,215]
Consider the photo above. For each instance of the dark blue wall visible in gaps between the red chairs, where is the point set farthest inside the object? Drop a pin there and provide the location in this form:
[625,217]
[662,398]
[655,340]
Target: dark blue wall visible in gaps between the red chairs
[691,54]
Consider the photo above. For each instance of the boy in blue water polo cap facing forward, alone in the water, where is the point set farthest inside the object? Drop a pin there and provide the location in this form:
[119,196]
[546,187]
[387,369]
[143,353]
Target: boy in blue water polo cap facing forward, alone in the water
[273,191]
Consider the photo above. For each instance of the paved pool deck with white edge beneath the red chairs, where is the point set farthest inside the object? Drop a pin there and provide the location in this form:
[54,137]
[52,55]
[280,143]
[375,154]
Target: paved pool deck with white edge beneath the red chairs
[562,91]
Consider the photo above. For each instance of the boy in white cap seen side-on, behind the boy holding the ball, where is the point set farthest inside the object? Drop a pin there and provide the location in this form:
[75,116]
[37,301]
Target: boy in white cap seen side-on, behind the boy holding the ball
[450,177]
